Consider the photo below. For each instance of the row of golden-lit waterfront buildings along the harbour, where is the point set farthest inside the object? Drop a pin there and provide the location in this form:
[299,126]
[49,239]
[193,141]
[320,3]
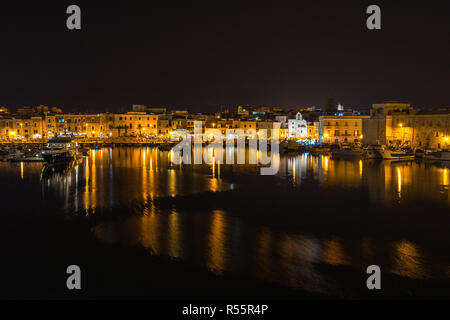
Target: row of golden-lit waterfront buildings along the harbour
[389,123]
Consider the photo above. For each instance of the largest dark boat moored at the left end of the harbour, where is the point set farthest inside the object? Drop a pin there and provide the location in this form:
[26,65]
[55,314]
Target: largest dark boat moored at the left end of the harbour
[59,150]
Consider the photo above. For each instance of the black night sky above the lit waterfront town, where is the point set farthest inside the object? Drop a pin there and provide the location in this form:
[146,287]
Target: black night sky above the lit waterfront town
[202,57]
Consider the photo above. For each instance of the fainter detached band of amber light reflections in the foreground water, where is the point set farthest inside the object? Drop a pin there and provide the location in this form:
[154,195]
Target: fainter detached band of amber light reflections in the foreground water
[292,260]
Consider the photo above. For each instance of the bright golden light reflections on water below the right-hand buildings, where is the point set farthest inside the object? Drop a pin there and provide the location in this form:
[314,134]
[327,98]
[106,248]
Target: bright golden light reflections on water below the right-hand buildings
[388,182]
